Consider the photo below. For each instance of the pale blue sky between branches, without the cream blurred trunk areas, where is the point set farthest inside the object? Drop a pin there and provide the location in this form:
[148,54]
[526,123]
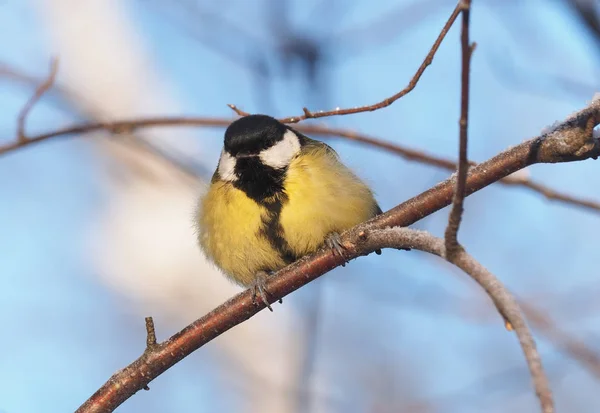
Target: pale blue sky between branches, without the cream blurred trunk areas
[64,331]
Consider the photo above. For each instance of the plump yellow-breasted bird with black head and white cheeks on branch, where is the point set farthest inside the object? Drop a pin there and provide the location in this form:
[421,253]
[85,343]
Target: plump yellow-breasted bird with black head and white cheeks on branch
[275,196]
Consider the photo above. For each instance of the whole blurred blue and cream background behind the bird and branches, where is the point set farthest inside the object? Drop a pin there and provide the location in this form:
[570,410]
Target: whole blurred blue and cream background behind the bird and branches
[97,231]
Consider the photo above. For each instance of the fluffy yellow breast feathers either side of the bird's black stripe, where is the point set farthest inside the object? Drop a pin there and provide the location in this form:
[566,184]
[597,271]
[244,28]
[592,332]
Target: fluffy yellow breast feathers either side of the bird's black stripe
[321,196]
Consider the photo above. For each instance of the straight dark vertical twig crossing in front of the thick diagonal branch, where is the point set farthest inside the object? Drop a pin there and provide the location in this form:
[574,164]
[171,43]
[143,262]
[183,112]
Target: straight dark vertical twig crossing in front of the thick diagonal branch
[452,244]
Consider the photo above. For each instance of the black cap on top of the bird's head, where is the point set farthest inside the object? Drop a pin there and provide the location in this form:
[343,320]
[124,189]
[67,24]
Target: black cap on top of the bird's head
[252,134]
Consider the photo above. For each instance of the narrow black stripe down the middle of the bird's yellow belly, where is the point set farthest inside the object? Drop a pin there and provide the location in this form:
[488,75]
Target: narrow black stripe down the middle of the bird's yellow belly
[271,227]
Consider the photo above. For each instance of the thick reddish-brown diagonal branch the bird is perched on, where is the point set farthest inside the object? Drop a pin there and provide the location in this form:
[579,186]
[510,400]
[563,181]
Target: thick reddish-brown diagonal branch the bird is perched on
[569,141]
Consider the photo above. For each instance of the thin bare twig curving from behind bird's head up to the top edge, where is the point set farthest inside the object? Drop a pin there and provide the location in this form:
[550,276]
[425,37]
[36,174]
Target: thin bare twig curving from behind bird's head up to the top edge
[388,101]
